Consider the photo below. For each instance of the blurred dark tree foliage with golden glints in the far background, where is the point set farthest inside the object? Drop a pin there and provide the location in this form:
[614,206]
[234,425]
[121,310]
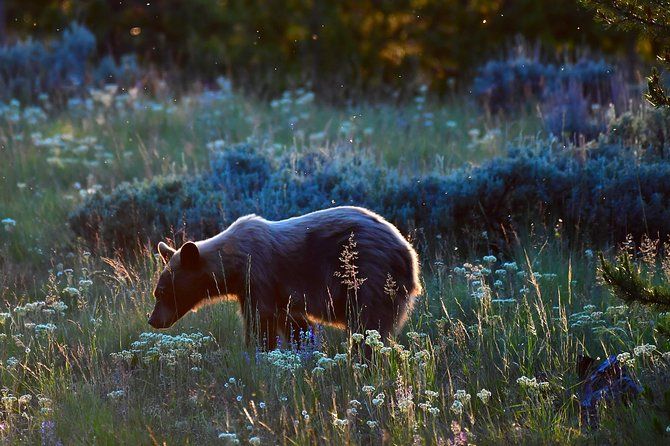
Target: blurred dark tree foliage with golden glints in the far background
[363,45]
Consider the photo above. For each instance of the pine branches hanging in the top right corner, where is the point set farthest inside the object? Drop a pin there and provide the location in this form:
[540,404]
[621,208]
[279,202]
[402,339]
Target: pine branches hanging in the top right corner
[651,18]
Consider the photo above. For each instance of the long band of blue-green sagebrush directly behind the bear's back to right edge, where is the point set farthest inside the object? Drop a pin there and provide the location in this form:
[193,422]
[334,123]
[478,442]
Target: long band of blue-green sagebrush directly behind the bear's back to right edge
[600,195]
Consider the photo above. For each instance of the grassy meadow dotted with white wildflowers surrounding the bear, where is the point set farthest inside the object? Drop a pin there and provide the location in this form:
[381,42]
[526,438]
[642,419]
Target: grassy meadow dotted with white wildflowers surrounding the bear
[490,355]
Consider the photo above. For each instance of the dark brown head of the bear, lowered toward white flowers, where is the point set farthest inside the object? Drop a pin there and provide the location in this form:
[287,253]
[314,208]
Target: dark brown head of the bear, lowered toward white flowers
[184,283]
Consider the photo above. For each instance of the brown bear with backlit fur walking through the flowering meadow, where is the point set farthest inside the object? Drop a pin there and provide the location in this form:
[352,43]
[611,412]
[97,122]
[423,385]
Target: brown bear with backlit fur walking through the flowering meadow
[344,266]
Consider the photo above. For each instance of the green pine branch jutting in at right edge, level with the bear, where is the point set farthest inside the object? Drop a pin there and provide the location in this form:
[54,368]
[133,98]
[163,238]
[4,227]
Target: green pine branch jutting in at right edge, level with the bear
[627,283]
